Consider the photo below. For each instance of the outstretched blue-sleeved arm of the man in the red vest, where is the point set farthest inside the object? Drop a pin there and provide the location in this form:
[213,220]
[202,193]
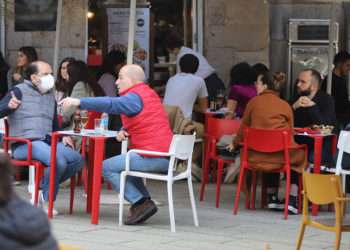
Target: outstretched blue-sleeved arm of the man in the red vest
[129,104]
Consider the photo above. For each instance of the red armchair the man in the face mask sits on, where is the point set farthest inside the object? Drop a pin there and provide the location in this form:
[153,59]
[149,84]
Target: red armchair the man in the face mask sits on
[39,167]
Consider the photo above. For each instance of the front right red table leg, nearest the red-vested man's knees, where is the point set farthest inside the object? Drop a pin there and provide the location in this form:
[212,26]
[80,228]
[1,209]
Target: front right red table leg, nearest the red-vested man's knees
[96,181]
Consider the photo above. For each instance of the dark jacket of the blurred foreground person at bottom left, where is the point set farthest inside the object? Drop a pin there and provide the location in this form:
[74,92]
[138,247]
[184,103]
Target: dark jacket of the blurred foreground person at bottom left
[24,227]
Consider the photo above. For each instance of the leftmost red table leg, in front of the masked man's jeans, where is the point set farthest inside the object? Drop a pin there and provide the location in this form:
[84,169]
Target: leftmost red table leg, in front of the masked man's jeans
[52,172]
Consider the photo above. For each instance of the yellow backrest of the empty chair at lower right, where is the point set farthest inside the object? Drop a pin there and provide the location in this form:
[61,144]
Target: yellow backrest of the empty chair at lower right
[322,189]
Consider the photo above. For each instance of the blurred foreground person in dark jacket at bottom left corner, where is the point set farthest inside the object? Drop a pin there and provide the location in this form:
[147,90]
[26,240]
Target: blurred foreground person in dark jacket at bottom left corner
[22,226]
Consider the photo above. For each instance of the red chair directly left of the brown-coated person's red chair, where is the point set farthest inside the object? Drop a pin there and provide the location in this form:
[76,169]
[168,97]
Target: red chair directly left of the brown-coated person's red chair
[215,128]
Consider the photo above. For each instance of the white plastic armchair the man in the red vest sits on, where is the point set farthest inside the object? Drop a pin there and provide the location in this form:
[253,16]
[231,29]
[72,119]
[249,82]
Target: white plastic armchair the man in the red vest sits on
[181,148]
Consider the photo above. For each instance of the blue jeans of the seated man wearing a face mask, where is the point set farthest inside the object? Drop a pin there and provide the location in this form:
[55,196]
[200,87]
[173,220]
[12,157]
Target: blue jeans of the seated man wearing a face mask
[68,163]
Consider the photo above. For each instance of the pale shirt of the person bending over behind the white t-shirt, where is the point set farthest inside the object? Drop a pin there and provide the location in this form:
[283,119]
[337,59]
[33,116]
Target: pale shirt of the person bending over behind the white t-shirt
[204,68]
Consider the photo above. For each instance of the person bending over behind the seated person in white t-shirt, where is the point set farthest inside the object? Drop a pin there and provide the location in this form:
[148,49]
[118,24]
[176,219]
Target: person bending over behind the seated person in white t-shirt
[205,70]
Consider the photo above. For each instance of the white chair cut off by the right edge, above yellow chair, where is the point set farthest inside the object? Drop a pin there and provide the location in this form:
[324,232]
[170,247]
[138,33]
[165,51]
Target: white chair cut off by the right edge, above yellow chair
[343,146]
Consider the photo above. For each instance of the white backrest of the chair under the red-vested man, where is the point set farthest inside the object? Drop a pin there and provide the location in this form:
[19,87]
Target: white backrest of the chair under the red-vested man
[182,146]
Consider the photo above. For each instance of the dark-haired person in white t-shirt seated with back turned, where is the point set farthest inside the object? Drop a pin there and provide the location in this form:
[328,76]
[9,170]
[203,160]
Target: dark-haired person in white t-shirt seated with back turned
[185,88]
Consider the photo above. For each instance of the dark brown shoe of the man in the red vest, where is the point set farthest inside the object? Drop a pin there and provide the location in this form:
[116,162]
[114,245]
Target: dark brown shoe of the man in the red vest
[141,212]
